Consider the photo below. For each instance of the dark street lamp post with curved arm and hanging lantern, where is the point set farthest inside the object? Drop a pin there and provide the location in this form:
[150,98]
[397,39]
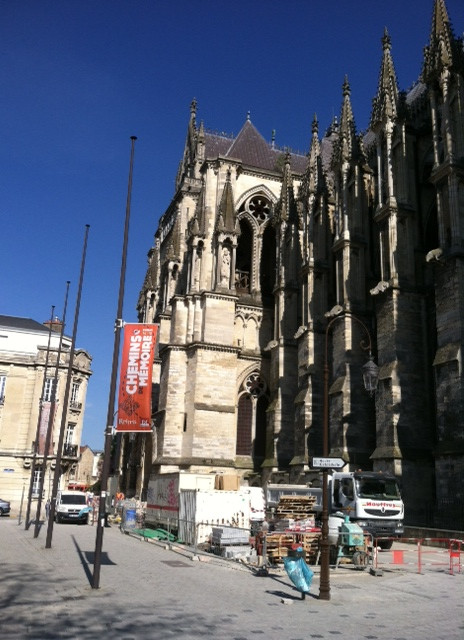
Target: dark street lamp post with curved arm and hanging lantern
[370,377]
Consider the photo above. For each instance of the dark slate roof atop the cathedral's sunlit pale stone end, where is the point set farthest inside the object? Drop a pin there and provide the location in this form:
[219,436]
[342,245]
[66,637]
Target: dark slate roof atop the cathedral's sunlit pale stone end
[252,150]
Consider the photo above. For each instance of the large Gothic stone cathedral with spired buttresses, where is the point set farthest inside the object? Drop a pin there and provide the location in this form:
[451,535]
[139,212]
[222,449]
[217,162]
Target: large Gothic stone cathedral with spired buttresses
[269,268]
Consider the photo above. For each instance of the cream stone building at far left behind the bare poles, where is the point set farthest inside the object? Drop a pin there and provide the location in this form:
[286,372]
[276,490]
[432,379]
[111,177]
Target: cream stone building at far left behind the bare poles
[26,401]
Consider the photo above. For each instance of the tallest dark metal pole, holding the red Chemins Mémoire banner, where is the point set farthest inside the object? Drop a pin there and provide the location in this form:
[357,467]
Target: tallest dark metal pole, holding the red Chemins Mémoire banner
[112,392]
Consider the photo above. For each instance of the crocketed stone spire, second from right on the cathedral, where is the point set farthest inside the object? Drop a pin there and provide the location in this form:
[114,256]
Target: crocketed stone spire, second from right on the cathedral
[385,103]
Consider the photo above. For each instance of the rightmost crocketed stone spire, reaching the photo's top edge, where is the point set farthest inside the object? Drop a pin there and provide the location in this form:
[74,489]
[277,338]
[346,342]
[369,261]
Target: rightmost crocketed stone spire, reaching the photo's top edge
[442,51]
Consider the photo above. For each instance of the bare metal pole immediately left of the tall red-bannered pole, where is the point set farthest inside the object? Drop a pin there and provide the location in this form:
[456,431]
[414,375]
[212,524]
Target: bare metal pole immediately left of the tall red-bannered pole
[64,414]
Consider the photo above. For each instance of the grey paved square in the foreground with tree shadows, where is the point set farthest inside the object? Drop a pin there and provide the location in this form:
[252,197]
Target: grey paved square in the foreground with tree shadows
[152,592]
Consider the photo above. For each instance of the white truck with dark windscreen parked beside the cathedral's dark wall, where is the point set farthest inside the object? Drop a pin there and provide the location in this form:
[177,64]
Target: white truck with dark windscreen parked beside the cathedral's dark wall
[370,499]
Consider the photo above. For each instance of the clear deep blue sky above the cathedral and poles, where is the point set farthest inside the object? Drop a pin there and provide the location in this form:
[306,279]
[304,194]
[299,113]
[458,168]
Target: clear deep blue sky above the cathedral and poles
[79,77]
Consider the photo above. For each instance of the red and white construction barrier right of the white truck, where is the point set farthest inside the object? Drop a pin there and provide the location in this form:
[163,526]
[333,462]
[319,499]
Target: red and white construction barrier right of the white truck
[423,554]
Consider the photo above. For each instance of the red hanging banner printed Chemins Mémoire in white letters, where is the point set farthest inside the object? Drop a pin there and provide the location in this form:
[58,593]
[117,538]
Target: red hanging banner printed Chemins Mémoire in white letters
[134,402]
